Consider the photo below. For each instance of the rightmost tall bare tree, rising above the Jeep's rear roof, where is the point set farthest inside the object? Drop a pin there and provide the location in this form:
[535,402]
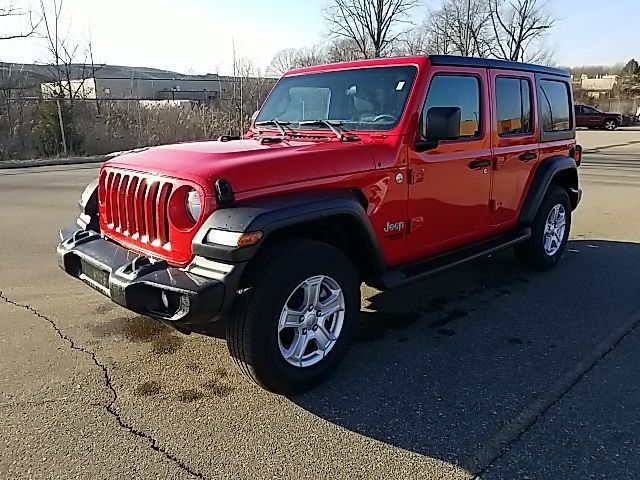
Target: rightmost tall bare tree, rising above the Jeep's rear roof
[519,26]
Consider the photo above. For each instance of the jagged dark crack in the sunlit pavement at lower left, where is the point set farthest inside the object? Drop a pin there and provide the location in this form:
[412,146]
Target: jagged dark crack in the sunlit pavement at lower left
[110,407]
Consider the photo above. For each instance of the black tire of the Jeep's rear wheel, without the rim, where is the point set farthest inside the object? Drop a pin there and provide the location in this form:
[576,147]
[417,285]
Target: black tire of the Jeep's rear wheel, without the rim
[531,253]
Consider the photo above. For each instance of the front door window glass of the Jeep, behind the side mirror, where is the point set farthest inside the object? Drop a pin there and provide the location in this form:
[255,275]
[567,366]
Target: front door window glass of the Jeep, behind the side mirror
[461,91]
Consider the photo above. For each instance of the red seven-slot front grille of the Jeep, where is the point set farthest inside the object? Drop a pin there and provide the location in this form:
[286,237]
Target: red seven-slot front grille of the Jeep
[136,206]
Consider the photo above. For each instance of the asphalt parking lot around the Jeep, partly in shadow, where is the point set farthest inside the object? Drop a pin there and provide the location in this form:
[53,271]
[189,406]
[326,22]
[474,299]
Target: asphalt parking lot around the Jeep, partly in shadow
[484,371]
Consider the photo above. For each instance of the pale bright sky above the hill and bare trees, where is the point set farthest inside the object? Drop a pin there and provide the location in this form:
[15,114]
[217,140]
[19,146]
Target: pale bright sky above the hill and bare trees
[196,35]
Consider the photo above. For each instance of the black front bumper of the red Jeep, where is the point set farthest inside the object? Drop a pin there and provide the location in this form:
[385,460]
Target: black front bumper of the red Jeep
[189,299]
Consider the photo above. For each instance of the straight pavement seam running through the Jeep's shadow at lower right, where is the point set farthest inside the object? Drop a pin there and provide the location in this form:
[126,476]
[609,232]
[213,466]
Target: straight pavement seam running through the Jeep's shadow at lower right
[529,416]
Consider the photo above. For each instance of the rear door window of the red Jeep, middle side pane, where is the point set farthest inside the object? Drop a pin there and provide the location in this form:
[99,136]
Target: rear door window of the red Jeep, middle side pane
[513,101]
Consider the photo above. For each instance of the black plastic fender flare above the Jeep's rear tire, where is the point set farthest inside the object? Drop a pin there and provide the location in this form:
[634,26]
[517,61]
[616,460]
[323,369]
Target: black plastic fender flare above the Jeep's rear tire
[543,178]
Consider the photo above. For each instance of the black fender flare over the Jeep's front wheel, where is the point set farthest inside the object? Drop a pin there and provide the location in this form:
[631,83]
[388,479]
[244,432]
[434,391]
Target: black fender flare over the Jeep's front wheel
[270,214]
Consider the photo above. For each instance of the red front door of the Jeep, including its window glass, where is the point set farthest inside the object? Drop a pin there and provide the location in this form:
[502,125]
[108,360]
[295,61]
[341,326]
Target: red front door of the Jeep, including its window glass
[450,184]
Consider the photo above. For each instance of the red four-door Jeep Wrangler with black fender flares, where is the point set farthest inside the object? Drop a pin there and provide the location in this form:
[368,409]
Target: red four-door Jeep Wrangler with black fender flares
[381,171]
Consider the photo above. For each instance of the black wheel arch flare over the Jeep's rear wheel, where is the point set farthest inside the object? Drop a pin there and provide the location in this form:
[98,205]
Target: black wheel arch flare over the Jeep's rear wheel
[559,170]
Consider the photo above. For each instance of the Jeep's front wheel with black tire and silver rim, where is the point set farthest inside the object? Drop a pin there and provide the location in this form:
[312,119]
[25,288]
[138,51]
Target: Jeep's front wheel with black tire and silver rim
[292,322]
